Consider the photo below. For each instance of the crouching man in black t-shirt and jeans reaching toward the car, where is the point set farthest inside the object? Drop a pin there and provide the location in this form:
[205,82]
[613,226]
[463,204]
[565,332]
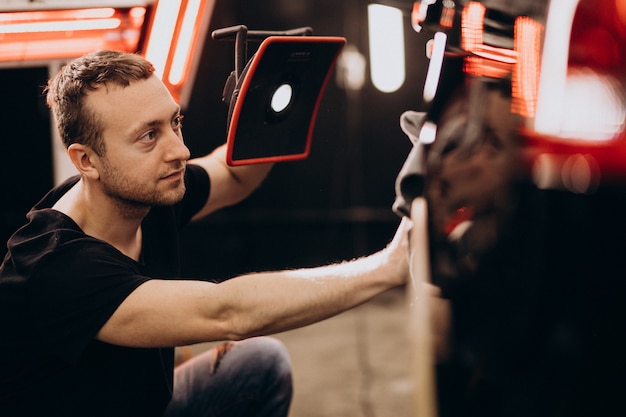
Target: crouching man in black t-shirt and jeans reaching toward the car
[90,303]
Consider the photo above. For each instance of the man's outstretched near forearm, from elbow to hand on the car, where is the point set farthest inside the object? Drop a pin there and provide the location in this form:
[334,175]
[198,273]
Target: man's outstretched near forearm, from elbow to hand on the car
[266,303]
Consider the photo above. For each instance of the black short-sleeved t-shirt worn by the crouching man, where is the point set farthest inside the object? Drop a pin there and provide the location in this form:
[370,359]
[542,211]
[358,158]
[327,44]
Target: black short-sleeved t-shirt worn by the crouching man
[58,286]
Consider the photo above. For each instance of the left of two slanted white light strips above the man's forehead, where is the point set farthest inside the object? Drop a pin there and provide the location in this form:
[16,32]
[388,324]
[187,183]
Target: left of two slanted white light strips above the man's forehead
[162,33]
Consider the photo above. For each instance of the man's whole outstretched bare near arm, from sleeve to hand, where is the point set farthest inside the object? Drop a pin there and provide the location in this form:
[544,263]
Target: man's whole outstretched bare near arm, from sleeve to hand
[175,313]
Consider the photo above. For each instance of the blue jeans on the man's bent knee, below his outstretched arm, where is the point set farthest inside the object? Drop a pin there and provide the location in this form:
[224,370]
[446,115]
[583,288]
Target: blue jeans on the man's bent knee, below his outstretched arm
[246,378]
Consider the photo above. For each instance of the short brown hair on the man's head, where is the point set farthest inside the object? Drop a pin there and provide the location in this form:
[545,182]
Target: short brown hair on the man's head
[67,90]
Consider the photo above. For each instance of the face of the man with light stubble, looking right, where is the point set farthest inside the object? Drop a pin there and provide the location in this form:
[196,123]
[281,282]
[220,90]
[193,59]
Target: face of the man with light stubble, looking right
[145,158]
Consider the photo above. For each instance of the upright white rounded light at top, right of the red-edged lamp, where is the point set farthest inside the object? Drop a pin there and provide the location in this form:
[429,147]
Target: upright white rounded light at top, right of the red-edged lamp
[386,41]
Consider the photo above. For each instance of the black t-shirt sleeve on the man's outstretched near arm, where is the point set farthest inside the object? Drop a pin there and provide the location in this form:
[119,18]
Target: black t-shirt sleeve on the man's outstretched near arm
[74,292]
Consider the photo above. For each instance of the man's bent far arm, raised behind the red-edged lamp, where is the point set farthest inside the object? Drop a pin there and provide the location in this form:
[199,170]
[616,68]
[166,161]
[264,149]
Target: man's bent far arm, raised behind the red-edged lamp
[229,185]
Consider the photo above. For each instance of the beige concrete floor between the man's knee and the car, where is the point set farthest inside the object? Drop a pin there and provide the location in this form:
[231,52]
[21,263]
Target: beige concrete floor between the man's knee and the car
[355,364]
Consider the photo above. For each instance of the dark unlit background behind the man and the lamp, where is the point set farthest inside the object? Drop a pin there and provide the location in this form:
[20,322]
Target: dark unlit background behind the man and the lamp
[334,205]
